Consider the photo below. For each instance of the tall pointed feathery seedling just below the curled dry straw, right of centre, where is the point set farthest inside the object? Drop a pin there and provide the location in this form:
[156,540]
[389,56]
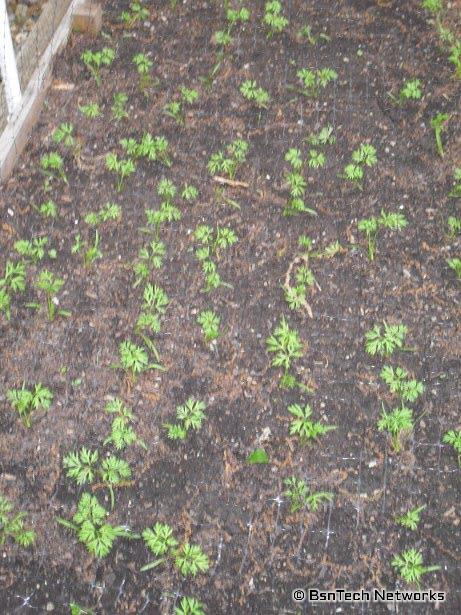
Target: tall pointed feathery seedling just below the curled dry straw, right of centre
[286,345]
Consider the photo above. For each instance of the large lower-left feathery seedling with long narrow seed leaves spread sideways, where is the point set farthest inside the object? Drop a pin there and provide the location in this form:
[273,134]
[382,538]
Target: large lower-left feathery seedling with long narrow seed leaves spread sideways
[89,523]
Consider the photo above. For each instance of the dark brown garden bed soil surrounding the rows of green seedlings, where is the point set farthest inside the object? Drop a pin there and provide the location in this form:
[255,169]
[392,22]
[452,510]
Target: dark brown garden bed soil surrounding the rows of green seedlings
[258,552]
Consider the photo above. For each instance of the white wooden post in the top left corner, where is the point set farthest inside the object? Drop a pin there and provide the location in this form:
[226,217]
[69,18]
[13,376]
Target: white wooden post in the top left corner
[8,67]
